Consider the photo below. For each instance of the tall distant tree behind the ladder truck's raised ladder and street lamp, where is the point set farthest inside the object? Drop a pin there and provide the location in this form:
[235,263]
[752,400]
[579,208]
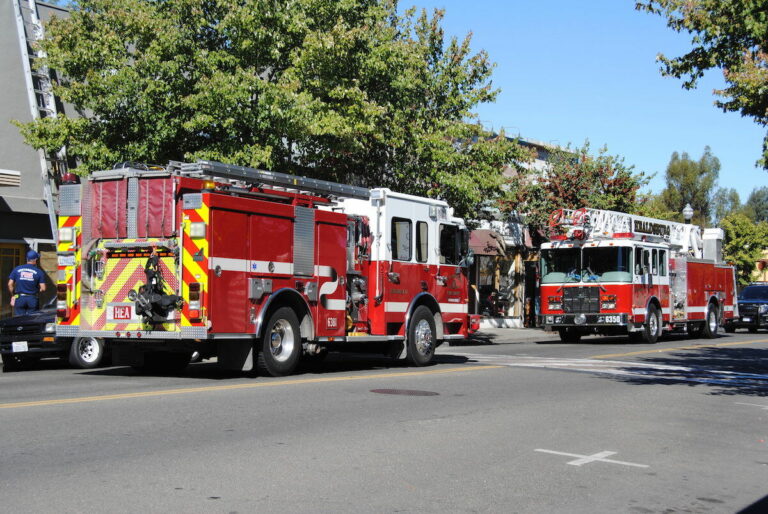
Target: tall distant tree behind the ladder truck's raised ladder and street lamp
[691,182]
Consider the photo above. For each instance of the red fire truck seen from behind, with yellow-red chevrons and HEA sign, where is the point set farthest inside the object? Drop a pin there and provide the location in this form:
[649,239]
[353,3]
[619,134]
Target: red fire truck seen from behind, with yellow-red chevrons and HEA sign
[256,267]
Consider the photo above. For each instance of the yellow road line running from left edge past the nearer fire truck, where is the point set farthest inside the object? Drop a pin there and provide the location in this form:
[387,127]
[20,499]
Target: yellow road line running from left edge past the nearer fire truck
[249,385]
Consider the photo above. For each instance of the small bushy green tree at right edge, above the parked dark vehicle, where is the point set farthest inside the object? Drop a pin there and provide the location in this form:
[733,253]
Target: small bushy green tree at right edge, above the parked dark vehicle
[744,243]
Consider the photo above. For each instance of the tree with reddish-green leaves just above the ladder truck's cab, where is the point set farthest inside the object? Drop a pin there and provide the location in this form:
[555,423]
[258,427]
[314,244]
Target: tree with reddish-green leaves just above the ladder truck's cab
[575,179]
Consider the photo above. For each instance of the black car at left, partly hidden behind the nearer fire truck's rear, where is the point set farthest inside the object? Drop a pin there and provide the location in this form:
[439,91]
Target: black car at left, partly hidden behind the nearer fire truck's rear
[26,339]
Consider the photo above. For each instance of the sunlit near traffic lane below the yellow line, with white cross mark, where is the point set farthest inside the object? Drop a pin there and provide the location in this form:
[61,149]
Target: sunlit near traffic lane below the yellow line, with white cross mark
[308,447]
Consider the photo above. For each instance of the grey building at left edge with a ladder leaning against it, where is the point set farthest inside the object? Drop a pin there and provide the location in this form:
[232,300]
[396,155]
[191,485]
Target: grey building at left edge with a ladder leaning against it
[27,217]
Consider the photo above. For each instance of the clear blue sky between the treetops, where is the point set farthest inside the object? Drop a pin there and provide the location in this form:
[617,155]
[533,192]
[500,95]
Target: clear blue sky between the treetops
[571,71]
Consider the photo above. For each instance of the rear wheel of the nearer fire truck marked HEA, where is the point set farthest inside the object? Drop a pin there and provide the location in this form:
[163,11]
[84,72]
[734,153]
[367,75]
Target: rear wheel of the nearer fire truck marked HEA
[281,346]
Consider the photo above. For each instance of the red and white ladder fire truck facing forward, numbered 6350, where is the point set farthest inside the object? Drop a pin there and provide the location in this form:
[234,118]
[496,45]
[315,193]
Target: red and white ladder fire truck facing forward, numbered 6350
[609,273]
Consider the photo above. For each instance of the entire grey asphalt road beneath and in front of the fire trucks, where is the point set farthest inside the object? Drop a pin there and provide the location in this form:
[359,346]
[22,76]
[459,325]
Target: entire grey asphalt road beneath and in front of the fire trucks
[513,421]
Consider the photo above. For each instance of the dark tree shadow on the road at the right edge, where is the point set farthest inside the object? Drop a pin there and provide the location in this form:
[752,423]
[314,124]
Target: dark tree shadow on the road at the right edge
[728,371]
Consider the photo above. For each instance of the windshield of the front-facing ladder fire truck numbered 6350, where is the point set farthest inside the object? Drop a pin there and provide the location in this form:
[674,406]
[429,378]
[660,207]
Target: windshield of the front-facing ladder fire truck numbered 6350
[598,264]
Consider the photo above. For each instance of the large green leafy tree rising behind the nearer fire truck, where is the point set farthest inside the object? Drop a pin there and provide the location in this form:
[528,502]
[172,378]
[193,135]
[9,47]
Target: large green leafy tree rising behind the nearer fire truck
[345,90]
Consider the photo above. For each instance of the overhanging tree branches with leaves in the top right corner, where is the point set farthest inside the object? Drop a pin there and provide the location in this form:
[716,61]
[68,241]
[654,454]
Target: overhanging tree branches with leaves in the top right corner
[731,35]
